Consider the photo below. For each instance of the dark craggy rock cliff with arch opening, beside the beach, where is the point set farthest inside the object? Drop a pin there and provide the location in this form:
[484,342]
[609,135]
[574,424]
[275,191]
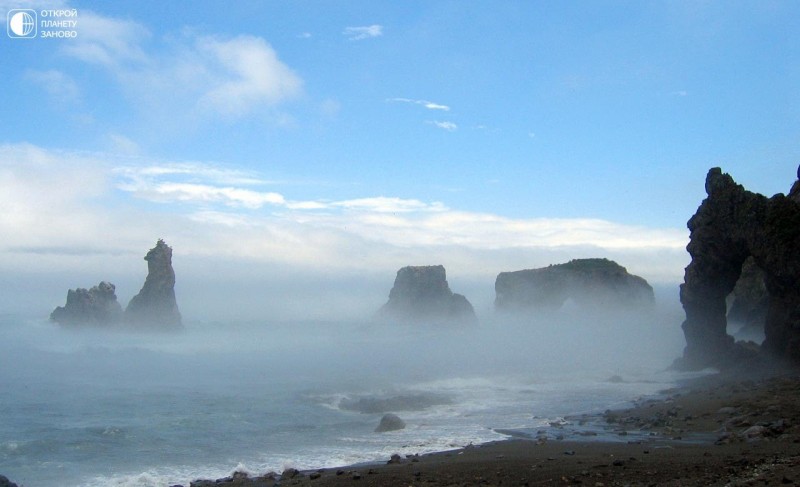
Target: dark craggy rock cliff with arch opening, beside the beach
[730,226]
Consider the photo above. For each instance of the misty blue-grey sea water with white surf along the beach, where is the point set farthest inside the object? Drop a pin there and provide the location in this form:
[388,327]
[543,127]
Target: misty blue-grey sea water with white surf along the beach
[97,408]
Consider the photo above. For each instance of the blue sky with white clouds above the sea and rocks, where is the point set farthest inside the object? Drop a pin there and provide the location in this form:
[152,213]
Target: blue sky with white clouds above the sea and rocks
[300,148]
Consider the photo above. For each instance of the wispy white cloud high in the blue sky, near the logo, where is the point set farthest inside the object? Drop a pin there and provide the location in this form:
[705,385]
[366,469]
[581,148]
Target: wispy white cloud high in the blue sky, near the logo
[189,77]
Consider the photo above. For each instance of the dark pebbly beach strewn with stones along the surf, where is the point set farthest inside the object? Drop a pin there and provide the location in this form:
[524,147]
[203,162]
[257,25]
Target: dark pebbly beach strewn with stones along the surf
[721,429]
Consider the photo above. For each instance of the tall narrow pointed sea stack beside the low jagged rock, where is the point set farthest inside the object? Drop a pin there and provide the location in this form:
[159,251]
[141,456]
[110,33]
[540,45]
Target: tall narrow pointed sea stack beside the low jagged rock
[155,305]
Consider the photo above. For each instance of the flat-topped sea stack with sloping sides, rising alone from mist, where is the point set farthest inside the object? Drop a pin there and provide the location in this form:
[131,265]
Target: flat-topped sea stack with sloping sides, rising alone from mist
[421,295]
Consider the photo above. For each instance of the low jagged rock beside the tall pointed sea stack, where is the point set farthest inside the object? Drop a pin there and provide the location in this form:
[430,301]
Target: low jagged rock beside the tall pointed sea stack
[97,306]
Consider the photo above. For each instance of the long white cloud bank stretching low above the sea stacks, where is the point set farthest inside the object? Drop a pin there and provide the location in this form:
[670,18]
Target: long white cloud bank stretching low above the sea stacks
[62,204]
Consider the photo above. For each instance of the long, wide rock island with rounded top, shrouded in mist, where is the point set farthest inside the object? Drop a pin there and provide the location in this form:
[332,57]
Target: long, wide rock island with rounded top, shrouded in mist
[589,283]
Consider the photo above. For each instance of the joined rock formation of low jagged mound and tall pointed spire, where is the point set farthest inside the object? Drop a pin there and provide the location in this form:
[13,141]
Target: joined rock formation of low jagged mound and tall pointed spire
[154,307]
